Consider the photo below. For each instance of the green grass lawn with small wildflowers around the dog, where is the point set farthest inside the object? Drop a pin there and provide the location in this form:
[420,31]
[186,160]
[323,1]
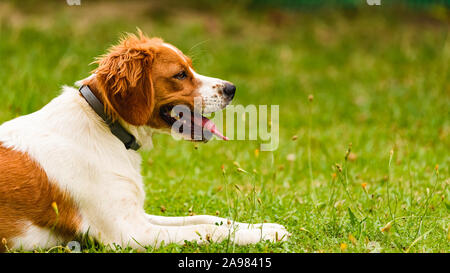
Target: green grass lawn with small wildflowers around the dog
[379,79]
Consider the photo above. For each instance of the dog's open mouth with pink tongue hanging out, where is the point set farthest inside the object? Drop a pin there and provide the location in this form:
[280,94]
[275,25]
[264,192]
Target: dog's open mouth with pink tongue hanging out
[192,125]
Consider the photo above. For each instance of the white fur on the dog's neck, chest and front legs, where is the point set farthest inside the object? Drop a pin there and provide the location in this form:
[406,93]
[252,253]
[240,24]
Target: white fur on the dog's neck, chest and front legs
[78,152]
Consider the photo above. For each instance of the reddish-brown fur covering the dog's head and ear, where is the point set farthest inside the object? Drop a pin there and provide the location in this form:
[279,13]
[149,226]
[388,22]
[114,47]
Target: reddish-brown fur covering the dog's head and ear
[136,78]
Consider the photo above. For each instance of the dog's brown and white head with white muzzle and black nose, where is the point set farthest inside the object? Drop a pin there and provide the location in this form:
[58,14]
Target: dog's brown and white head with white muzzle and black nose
[141,80]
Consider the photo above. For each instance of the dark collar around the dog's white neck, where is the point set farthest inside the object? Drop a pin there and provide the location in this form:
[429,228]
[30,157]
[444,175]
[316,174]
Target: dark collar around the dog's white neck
[116,128]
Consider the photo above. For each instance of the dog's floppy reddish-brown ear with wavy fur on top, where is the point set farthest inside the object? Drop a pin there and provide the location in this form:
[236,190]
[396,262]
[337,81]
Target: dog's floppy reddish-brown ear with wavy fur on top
[124,78]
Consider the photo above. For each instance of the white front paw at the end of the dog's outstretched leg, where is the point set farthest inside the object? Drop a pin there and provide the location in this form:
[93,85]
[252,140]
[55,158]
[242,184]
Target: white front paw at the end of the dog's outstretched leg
[252,236]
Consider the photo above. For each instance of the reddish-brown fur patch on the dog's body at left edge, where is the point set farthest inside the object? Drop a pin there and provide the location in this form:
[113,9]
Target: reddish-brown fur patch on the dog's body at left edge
[27,195]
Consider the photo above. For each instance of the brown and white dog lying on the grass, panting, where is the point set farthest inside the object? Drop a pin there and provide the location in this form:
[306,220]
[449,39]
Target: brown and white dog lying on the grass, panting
[63,173]
